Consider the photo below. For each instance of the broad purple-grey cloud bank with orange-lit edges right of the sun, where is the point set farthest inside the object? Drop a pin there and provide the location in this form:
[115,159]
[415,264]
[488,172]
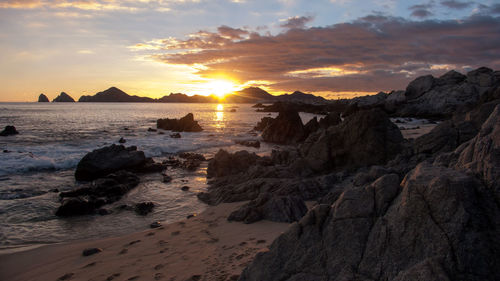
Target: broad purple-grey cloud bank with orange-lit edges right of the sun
[370,54]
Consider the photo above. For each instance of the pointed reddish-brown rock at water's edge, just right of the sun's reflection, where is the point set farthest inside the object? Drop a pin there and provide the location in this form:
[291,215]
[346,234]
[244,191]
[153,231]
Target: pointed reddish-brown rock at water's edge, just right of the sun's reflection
[287,128]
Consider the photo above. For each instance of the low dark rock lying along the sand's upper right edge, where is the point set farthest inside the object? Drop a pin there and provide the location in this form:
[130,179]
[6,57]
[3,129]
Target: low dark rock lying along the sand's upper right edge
[273,208]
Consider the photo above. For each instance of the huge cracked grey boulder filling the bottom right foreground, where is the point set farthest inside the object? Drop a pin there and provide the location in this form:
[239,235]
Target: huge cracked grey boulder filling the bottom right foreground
[439,225]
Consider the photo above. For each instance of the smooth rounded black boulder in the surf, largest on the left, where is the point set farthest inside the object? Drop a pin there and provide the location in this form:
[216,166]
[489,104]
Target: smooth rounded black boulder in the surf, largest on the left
[103,161]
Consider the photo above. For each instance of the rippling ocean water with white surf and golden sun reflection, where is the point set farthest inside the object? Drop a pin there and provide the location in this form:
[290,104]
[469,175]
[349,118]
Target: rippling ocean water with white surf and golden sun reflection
[55,136]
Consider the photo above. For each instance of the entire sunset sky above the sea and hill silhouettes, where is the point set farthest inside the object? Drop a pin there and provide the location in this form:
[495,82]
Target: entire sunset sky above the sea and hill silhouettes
[332,48]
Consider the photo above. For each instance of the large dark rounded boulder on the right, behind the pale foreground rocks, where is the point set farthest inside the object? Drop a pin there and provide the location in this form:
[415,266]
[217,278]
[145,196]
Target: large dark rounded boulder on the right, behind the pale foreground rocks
[365,138]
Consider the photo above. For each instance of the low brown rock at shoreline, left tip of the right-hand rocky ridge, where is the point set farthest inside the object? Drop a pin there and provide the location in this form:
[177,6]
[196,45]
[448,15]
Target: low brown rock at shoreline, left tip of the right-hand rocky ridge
[225,163]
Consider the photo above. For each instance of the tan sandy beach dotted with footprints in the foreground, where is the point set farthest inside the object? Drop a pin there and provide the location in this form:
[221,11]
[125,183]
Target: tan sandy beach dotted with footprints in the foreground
[205,247]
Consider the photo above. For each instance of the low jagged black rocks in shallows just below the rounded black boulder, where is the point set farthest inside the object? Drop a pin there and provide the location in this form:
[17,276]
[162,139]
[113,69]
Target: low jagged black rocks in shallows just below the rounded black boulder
[86,200]
